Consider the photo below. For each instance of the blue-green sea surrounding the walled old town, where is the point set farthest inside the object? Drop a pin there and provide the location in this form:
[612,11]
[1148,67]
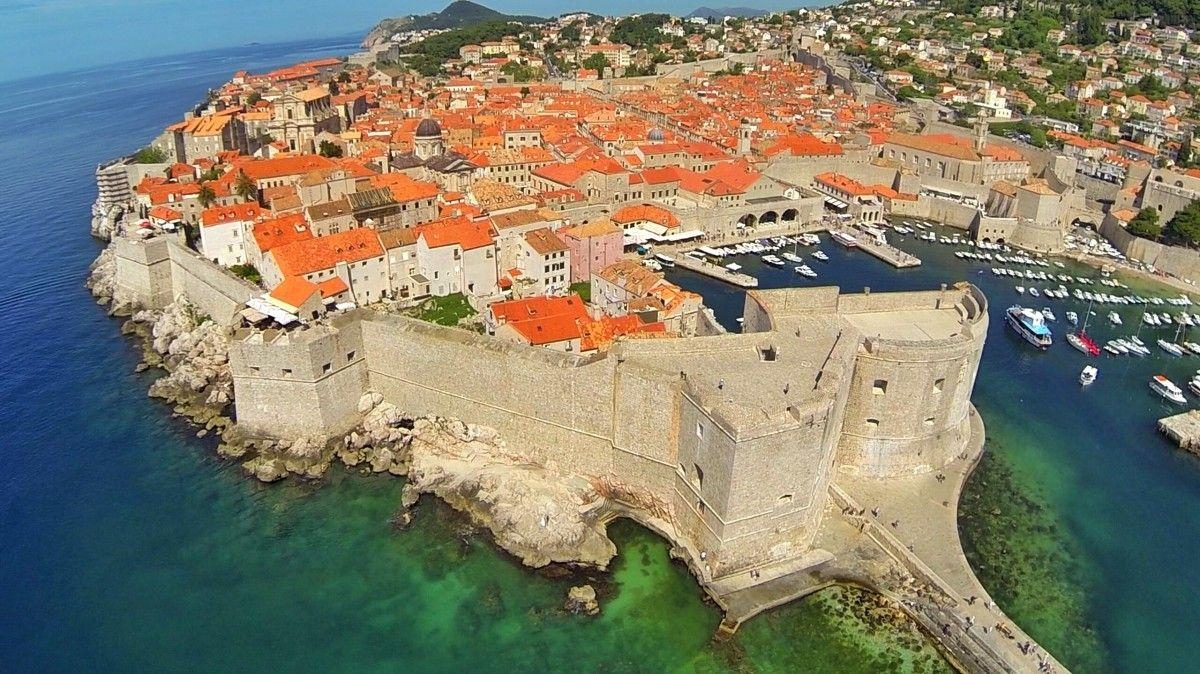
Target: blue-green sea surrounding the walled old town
[130,547]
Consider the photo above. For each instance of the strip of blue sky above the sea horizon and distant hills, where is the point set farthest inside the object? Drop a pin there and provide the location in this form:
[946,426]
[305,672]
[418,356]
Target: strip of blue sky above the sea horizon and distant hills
[47,37]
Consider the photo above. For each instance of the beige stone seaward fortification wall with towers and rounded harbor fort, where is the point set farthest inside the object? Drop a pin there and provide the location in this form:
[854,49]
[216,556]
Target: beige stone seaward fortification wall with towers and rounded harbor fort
[740,434]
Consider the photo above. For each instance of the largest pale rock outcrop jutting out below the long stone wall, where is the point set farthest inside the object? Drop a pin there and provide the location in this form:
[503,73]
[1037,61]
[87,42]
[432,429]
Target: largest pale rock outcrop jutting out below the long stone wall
[538,515]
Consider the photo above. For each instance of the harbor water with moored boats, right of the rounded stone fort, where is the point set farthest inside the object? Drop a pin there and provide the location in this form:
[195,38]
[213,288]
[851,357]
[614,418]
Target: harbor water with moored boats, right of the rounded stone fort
[1047,520]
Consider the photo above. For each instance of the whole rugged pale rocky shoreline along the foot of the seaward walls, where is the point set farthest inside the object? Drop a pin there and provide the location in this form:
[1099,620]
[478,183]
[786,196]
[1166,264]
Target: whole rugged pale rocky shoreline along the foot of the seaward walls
[538,515]
